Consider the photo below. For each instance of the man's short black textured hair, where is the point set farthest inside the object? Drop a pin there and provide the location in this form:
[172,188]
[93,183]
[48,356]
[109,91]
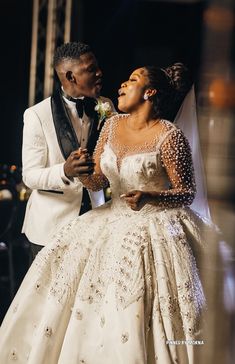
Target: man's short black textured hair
[68,51]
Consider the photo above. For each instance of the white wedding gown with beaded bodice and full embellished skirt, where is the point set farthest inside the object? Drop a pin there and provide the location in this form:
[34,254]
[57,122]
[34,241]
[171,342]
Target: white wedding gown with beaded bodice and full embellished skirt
[115,284]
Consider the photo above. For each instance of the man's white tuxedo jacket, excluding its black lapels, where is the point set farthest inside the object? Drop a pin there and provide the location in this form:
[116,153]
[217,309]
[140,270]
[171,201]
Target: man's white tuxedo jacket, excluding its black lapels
[54,200]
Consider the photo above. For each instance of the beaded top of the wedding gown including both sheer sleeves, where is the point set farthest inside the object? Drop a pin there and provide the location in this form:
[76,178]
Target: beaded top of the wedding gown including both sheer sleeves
[164,165]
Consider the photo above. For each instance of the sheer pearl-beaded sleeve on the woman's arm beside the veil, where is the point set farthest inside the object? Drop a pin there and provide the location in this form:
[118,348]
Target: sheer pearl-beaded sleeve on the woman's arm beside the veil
[177,160]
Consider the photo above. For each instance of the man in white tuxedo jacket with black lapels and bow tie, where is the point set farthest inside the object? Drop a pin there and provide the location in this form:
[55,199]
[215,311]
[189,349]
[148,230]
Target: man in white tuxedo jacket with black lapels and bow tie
[54,130]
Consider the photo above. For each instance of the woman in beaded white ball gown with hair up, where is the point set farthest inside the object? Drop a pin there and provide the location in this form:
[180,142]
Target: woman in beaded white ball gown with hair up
[120,283]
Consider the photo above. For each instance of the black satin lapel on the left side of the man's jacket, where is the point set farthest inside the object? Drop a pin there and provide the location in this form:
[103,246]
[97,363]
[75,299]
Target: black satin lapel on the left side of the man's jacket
[65,133]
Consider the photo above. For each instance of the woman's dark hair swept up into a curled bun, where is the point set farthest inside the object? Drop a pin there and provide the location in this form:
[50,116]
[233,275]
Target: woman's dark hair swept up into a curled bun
[172,85]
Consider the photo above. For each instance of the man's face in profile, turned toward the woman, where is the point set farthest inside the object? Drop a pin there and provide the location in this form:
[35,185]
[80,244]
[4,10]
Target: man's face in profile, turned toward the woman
[86,76]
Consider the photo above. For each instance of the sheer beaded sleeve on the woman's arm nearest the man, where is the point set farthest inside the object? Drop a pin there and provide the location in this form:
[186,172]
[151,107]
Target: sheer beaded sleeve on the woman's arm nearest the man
[98,180]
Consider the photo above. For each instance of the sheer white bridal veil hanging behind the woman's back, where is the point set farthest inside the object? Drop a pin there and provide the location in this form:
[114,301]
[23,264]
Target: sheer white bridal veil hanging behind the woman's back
[186,119]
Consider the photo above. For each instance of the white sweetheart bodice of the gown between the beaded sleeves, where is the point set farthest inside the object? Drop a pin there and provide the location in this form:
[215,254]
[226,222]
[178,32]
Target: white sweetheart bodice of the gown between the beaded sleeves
[129,170]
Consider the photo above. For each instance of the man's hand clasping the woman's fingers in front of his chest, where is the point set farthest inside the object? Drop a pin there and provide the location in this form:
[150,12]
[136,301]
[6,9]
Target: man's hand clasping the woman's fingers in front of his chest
[79,163]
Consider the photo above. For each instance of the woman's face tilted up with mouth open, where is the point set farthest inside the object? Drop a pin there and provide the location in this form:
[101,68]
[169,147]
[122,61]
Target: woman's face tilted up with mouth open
[131,93]
